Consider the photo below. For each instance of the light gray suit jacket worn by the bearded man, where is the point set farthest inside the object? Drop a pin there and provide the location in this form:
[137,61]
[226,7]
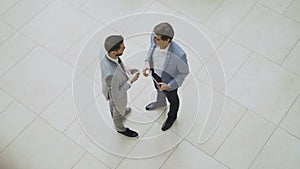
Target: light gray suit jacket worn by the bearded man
[114,83]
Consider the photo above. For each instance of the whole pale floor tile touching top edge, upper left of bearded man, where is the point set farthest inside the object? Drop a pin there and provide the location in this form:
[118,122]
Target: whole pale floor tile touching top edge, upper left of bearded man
[55,32]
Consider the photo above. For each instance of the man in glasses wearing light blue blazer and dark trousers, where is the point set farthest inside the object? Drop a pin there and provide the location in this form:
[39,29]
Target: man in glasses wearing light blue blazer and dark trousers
[168,66]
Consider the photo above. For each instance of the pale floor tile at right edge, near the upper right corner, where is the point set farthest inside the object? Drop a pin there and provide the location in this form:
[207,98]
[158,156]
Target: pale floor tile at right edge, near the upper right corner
[264,31]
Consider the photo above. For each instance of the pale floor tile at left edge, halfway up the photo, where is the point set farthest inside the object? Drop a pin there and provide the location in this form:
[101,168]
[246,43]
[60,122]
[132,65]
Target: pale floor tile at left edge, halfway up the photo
[37,79]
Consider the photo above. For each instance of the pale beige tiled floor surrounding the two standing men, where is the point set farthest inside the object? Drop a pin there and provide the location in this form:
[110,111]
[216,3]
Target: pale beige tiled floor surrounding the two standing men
[240,103]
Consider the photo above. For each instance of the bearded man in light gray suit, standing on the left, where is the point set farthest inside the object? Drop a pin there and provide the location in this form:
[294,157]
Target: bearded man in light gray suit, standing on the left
[115,83]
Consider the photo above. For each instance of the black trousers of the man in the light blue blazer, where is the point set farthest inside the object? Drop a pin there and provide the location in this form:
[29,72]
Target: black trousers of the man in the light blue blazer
[172,97]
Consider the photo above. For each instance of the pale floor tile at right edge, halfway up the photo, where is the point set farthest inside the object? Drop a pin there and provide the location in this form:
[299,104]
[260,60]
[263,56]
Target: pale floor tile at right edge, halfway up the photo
[264,87]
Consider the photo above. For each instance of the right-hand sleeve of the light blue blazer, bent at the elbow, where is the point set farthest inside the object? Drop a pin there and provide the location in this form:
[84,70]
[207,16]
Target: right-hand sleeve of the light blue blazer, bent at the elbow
[183,70]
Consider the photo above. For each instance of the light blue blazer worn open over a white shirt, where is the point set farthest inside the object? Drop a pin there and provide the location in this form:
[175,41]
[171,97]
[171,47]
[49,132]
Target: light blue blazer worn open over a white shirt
[176,66]
